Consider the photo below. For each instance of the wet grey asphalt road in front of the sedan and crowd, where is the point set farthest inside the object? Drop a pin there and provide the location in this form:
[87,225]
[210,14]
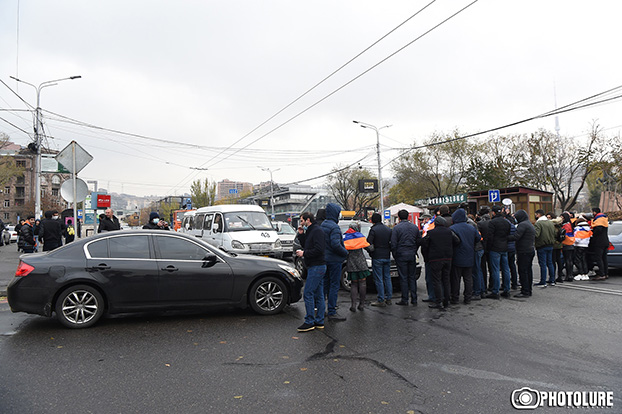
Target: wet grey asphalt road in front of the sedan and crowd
[468,359]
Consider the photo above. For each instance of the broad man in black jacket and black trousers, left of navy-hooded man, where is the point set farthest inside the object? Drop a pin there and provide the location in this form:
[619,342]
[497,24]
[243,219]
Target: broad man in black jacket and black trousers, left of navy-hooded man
[438,246]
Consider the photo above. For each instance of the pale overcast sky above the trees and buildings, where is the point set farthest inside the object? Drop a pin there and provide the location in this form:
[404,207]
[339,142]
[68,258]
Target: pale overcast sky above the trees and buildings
[197,76]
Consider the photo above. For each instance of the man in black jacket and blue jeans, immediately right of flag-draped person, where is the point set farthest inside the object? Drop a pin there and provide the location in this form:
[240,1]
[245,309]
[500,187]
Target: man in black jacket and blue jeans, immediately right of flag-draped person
[379,240]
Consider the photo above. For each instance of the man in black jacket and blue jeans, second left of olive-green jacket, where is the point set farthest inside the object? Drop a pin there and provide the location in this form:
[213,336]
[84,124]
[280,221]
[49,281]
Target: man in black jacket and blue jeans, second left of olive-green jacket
[497,241]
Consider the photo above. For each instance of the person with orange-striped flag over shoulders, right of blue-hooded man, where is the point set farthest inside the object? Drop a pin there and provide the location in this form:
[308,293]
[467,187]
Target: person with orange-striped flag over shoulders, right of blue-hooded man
[356,265]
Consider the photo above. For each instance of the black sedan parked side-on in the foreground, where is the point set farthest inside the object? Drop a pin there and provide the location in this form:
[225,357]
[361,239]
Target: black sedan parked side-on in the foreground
[132,271]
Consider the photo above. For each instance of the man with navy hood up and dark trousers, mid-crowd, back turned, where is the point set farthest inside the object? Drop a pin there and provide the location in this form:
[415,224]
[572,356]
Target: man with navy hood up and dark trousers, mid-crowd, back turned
[463,257]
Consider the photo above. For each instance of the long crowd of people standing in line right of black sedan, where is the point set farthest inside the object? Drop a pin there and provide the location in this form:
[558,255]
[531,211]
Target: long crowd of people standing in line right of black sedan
[487,255]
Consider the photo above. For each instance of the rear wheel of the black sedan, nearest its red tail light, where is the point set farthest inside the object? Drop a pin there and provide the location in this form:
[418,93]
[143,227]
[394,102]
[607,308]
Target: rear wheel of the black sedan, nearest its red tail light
[79,306]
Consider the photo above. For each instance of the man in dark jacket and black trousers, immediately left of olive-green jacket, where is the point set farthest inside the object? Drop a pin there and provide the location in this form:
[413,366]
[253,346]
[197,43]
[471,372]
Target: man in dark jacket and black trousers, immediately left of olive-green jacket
[524,236]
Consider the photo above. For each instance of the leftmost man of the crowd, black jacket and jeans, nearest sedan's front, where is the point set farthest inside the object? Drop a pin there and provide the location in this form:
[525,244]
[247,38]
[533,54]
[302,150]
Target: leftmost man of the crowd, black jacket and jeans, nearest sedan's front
[313,254]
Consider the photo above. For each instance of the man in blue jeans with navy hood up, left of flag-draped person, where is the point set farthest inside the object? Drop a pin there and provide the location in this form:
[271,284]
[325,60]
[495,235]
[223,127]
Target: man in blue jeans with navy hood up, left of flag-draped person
[335,255]
